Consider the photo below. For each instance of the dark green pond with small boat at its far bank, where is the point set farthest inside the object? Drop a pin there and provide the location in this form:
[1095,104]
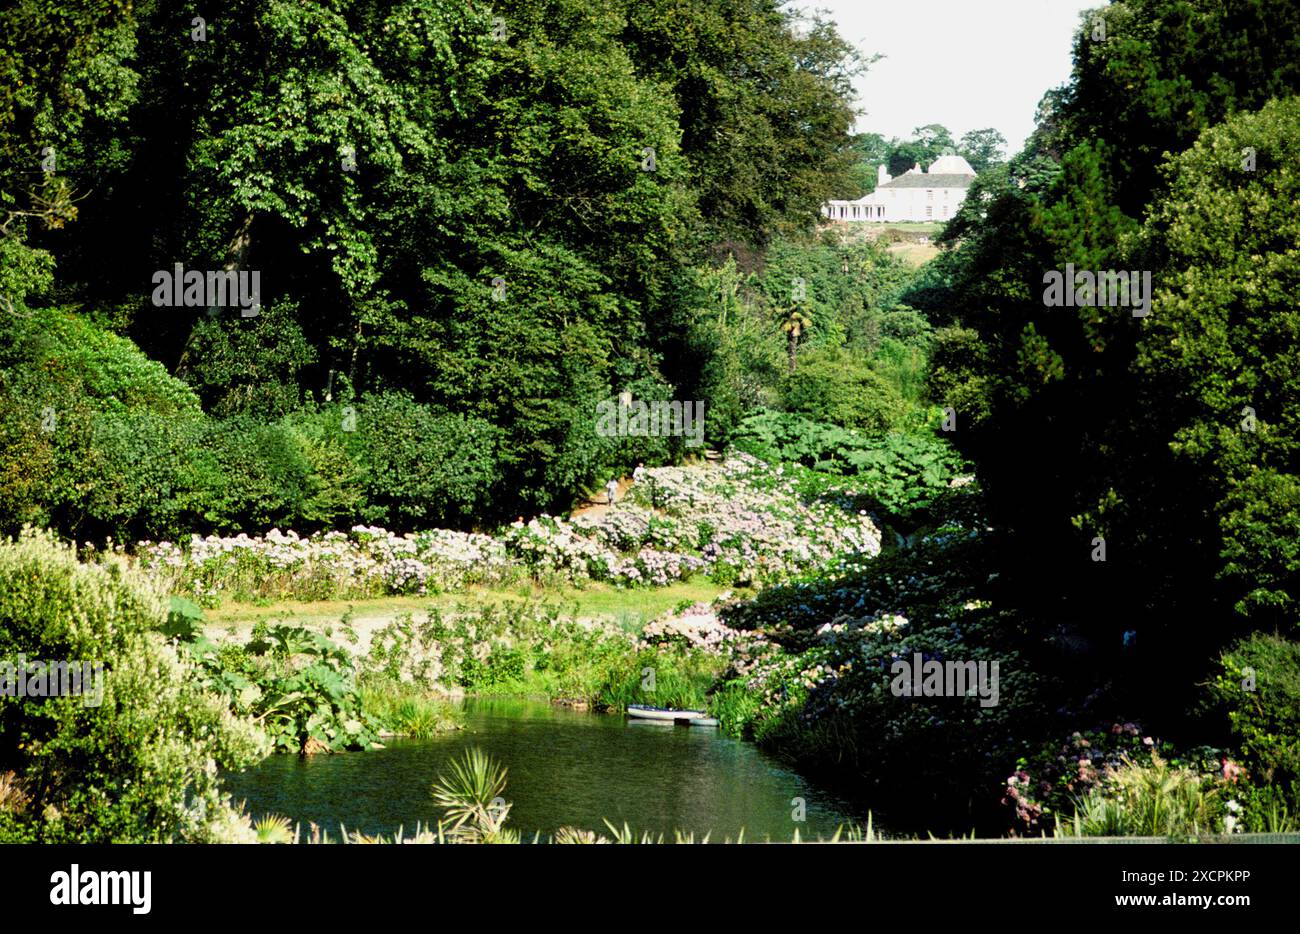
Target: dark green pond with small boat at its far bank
[565,769]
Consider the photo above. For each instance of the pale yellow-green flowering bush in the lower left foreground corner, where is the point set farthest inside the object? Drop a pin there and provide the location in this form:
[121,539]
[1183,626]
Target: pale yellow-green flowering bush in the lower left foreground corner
[142,766]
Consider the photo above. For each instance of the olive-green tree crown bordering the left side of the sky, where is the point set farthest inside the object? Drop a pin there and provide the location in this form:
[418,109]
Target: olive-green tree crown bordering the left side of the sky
[766,111]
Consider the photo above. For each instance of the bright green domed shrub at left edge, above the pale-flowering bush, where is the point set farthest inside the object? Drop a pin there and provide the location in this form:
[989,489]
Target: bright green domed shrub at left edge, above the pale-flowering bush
[94,436]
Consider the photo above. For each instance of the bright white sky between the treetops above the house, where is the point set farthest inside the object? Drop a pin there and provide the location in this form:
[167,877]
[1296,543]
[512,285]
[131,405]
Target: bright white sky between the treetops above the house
[967,64]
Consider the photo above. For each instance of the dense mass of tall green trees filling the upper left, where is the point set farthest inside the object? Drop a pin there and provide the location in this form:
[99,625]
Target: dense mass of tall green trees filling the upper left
[493,213]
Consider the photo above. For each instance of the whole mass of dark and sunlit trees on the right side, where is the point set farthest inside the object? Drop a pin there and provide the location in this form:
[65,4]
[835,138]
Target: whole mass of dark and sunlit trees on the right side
[1094,423]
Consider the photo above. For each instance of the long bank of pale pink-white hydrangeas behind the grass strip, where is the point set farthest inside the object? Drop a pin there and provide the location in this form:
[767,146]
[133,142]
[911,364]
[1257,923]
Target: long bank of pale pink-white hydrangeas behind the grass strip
[740,522]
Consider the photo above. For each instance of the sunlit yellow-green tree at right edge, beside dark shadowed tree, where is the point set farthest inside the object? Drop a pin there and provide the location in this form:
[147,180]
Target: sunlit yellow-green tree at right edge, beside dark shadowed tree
[1220,360]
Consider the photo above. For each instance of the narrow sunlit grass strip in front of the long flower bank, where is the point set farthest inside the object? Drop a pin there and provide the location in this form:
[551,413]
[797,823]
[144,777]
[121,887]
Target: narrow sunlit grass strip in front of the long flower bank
[631,608]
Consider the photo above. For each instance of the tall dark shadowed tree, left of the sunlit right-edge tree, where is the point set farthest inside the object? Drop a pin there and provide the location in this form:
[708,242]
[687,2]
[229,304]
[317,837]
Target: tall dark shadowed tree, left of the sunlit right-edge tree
[1068,451]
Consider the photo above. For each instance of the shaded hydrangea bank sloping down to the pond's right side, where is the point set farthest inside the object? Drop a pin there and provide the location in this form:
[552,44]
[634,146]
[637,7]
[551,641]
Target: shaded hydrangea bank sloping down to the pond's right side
[821,694]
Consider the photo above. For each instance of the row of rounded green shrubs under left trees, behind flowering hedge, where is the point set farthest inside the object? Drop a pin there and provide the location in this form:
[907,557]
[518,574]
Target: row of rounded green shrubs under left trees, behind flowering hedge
[97,440]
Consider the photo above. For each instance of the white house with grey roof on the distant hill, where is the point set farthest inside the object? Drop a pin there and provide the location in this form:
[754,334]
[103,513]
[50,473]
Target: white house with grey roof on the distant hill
[916,196]
